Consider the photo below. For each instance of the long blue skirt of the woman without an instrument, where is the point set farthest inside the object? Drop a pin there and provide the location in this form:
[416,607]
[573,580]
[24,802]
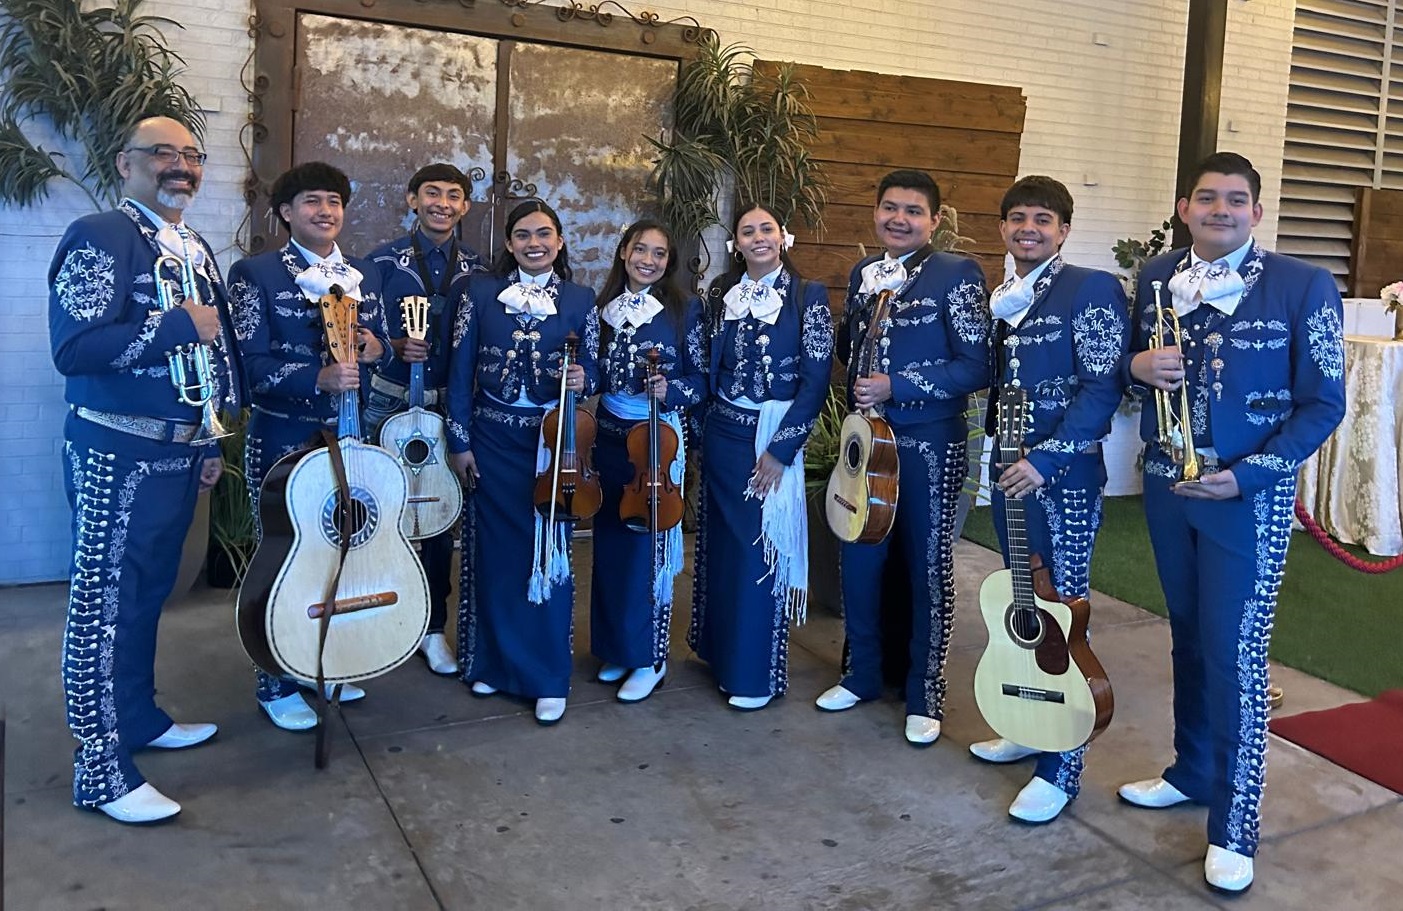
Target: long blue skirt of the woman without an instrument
[739,625]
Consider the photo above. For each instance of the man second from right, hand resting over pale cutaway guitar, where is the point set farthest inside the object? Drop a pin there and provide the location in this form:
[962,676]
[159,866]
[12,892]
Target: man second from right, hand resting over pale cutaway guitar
[1061,333]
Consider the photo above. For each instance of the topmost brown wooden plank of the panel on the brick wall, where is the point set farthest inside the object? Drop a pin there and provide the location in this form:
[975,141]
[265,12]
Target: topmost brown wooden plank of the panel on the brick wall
[908,100]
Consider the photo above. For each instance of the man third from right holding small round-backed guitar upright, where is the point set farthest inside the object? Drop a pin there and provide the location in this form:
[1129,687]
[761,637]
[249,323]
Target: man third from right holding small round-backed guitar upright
[935,354]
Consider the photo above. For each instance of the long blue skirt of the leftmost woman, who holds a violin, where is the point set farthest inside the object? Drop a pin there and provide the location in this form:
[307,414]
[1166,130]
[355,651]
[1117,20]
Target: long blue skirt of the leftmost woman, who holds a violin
[504,639]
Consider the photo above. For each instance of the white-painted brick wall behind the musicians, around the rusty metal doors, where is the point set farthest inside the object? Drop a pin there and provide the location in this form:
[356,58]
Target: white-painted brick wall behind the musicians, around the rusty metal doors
[1101,114]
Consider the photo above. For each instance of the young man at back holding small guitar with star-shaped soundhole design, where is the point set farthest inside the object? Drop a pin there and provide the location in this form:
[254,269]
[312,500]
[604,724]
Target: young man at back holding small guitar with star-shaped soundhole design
[430,262]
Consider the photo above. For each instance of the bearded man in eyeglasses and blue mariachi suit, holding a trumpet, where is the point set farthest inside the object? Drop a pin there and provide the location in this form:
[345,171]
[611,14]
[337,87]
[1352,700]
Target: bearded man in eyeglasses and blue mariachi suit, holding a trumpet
[135,455]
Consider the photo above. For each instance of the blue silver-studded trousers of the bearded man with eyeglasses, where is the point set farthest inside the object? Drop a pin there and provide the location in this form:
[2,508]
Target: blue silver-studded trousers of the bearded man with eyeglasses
[133,503]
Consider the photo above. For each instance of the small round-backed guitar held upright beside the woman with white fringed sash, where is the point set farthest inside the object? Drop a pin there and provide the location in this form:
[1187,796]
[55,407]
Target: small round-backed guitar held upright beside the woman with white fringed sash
[861,503]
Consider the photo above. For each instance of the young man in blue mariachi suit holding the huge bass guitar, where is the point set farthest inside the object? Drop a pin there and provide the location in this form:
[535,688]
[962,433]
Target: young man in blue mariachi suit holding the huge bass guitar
[295,384]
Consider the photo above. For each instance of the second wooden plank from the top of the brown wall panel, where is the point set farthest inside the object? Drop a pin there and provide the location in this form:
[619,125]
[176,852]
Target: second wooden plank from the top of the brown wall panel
[897,145]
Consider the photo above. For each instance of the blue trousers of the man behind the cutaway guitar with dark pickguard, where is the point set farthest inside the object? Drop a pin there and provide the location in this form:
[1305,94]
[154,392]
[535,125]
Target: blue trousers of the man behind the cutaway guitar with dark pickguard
[1061,521]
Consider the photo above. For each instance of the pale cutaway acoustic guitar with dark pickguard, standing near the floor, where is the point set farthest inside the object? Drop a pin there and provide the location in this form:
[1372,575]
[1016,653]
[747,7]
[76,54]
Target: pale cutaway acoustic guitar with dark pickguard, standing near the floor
[1038,683]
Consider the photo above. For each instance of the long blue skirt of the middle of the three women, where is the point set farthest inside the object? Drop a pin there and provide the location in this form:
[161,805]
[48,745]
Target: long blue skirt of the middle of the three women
[628,625]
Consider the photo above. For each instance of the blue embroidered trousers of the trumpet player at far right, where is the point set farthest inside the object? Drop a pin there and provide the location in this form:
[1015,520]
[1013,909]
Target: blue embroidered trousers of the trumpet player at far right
[1220,564]
